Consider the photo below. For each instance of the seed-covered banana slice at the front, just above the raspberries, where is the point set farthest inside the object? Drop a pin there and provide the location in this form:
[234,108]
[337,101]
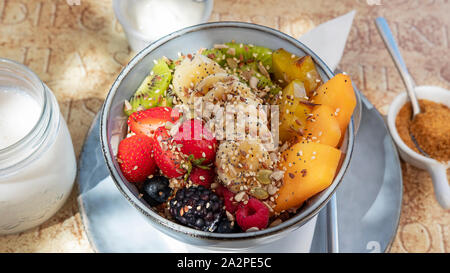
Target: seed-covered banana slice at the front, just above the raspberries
[238,163]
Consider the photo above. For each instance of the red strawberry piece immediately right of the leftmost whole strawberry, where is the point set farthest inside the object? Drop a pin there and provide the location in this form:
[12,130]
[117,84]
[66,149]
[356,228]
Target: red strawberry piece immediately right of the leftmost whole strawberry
[167,157]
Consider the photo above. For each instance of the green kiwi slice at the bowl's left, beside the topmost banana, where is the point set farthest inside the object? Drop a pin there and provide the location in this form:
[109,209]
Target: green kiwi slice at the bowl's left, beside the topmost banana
[153,90]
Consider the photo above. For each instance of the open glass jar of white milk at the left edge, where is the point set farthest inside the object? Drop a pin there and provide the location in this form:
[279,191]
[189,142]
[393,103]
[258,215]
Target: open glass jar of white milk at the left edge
[37,171]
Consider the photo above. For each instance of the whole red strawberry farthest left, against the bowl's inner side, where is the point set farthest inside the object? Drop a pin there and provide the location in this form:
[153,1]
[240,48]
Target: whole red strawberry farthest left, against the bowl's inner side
[135,157]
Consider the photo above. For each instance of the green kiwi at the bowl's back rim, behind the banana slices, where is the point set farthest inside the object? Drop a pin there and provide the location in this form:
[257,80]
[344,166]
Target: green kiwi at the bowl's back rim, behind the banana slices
[243,52]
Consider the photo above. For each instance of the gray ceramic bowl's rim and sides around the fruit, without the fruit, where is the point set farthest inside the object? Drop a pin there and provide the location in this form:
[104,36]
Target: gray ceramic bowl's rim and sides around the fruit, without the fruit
[113,125]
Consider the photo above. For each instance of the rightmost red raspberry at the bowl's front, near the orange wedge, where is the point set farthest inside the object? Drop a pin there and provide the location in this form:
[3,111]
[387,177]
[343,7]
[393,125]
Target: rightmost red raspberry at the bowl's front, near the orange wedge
[254,214]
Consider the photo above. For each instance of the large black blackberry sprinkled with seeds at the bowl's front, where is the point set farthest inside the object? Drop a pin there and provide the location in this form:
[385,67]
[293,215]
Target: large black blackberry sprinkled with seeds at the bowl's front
[197,207]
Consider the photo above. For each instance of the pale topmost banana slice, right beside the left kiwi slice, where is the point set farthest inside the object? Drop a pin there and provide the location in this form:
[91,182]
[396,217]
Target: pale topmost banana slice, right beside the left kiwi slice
[190,72]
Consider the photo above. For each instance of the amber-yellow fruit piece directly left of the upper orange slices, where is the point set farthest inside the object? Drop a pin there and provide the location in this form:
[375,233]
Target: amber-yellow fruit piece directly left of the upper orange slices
[294,110]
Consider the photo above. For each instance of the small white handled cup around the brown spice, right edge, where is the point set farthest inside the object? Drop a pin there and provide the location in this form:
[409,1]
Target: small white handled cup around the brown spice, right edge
[437,170]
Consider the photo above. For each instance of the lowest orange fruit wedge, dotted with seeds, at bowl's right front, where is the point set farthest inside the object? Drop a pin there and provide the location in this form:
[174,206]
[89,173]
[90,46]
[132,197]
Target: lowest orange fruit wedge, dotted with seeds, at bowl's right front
[309,169]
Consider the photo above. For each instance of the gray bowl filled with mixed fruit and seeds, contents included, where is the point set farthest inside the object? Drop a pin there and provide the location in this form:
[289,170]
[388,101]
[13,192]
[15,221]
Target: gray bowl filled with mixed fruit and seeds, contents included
[225,133]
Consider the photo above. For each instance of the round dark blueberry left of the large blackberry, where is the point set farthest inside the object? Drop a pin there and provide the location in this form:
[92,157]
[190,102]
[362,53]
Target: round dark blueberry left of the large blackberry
[156,190]
